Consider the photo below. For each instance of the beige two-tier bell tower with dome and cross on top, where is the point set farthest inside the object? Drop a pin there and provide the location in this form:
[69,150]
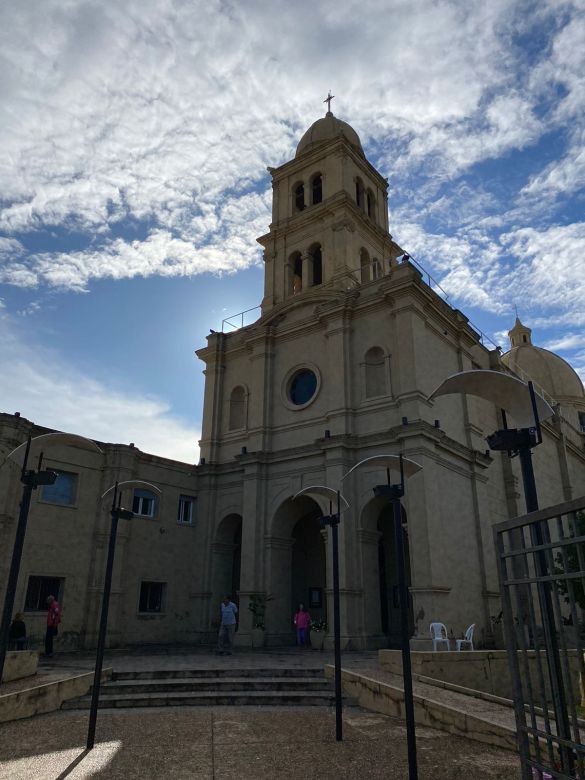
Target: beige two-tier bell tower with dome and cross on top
[329,217]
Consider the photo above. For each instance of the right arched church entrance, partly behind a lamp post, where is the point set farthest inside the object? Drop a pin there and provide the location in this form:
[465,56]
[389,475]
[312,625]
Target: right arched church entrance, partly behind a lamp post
[381,574]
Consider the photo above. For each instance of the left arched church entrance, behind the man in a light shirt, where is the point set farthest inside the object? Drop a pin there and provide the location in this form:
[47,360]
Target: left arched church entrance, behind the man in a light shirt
[226,564]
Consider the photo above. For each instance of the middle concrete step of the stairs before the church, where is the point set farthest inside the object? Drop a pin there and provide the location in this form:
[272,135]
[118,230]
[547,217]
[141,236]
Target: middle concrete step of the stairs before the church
[234,683]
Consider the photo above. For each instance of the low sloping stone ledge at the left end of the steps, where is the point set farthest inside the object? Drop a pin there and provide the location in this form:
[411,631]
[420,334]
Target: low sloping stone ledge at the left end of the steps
[46,697]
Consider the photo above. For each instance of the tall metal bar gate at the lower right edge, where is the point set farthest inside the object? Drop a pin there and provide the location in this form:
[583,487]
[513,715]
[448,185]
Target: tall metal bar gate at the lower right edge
[541,566]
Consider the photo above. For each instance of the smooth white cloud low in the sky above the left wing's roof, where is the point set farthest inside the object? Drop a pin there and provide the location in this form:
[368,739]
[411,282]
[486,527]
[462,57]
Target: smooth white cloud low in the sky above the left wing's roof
[51,392]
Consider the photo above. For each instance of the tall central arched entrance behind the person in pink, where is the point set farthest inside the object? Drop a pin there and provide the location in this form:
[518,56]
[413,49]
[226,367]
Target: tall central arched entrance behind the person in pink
[296,566]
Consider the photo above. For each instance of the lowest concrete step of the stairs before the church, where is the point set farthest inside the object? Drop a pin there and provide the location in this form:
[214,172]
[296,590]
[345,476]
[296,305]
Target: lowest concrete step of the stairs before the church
[207,699]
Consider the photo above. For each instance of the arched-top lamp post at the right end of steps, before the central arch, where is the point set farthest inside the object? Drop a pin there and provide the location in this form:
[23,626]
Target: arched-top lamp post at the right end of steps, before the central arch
[322,491]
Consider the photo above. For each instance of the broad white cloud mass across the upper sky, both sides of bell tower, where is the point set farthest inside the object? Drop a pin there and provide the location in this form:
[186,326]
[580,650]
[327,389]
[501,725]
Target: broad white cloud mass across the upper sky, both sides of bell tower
[166,113]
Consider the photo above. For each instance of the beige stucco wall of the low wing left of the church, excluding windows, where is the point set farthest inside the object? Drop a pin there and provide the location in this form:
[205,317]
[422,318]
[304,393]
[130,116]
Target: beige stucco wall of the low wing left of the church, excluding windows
[70,542]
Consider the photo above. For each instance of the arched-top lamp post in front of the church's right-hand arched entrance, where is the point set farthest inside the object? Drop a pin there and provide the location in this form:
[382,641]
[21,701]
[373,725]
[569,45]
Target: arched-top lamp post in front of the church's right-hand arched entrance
[404,469]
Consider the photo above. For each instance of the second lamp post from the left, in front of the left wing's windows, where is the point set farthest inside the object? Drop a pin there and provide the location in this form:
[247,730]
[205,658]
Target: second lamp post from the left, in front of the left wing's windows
[117,513]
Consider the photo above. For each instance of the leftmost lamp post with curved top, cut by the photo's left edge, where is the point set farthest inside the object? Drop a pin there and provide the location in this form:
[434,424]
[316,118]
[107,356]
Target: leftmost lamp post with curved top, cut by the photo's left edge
[31,480]
